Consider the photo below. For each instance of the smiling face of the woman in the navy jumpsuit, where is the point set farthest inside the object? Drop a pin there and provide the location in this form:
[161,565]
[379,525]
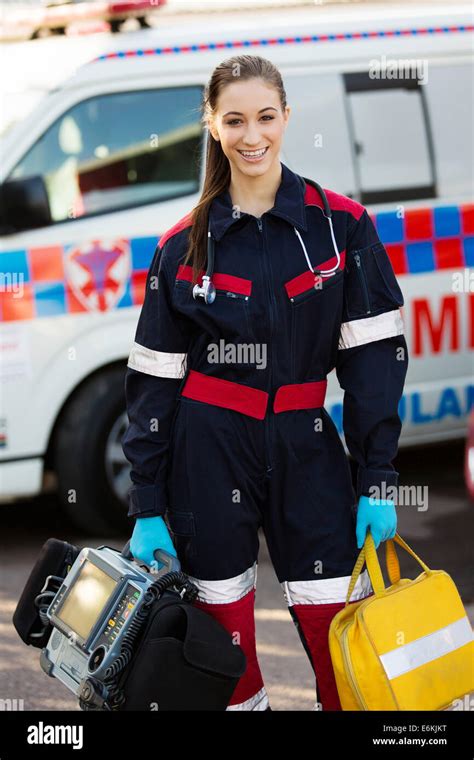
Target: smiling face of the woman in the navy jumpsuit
[250,125]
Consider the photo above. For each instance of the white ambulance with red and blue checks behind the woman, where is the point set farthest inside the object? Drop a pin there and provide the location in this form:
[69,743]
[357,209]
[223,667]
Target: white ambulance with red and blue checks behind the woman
[382,112]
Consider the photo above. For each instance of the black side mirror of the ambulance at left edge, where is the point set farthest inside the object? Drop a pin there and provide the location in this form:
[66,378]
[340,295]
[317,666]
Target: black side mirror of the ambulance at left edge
[24,205]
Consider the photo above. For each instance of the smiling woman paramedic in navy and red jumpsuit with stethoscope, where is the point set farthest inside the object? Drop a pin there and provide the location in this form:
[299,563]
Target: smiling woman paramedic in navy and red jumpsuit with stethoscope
[251,300]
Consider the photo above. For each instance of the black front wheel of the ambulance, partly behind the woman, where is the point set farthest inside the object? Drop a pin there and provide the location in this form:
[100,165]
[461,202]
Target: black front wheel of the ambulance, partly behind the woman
[93,473]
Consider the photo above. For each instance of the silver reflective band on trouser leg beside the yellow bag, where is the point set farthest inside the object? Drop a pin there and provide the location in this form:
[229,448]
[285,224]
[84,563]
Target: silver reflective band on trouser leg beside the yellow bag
[326,590]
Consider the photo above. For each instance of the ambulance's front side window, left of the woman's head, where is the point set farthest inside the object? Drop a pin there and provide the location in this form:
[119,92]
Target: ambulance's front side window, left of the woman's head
[120,150]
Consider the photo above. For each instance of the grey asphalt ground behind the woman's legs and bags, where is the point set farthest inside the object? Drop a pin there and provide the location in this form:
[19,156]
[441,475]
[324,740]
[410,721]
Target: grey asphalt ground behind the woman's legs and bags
[439,529]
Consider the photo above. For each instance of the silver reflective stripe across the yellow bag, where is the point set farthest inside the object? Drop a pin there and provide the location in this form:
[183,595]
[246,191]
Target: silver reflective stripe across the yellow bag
[427,648]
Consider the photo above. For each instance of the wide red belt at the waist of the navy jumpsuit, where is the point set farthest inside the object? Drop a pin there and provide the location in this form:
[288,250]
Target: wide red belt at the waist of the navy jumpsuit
[251,401]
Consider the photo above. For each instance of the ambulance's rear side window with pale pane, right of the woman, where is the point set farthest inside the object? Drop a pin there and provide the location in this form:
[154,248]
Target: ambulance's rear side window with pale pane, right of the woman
[391,136]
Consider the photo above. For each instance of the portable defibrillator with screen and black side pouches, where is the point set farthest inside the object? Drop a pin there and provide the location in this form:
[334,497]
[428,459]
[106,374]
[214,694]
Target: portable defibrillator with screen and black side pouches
[122,637]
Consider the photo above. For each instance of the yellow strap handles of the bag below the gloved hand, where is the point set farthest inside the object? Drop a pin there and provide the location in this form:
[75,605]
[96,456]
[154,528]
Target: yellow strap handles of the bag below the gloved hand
[368,554]
